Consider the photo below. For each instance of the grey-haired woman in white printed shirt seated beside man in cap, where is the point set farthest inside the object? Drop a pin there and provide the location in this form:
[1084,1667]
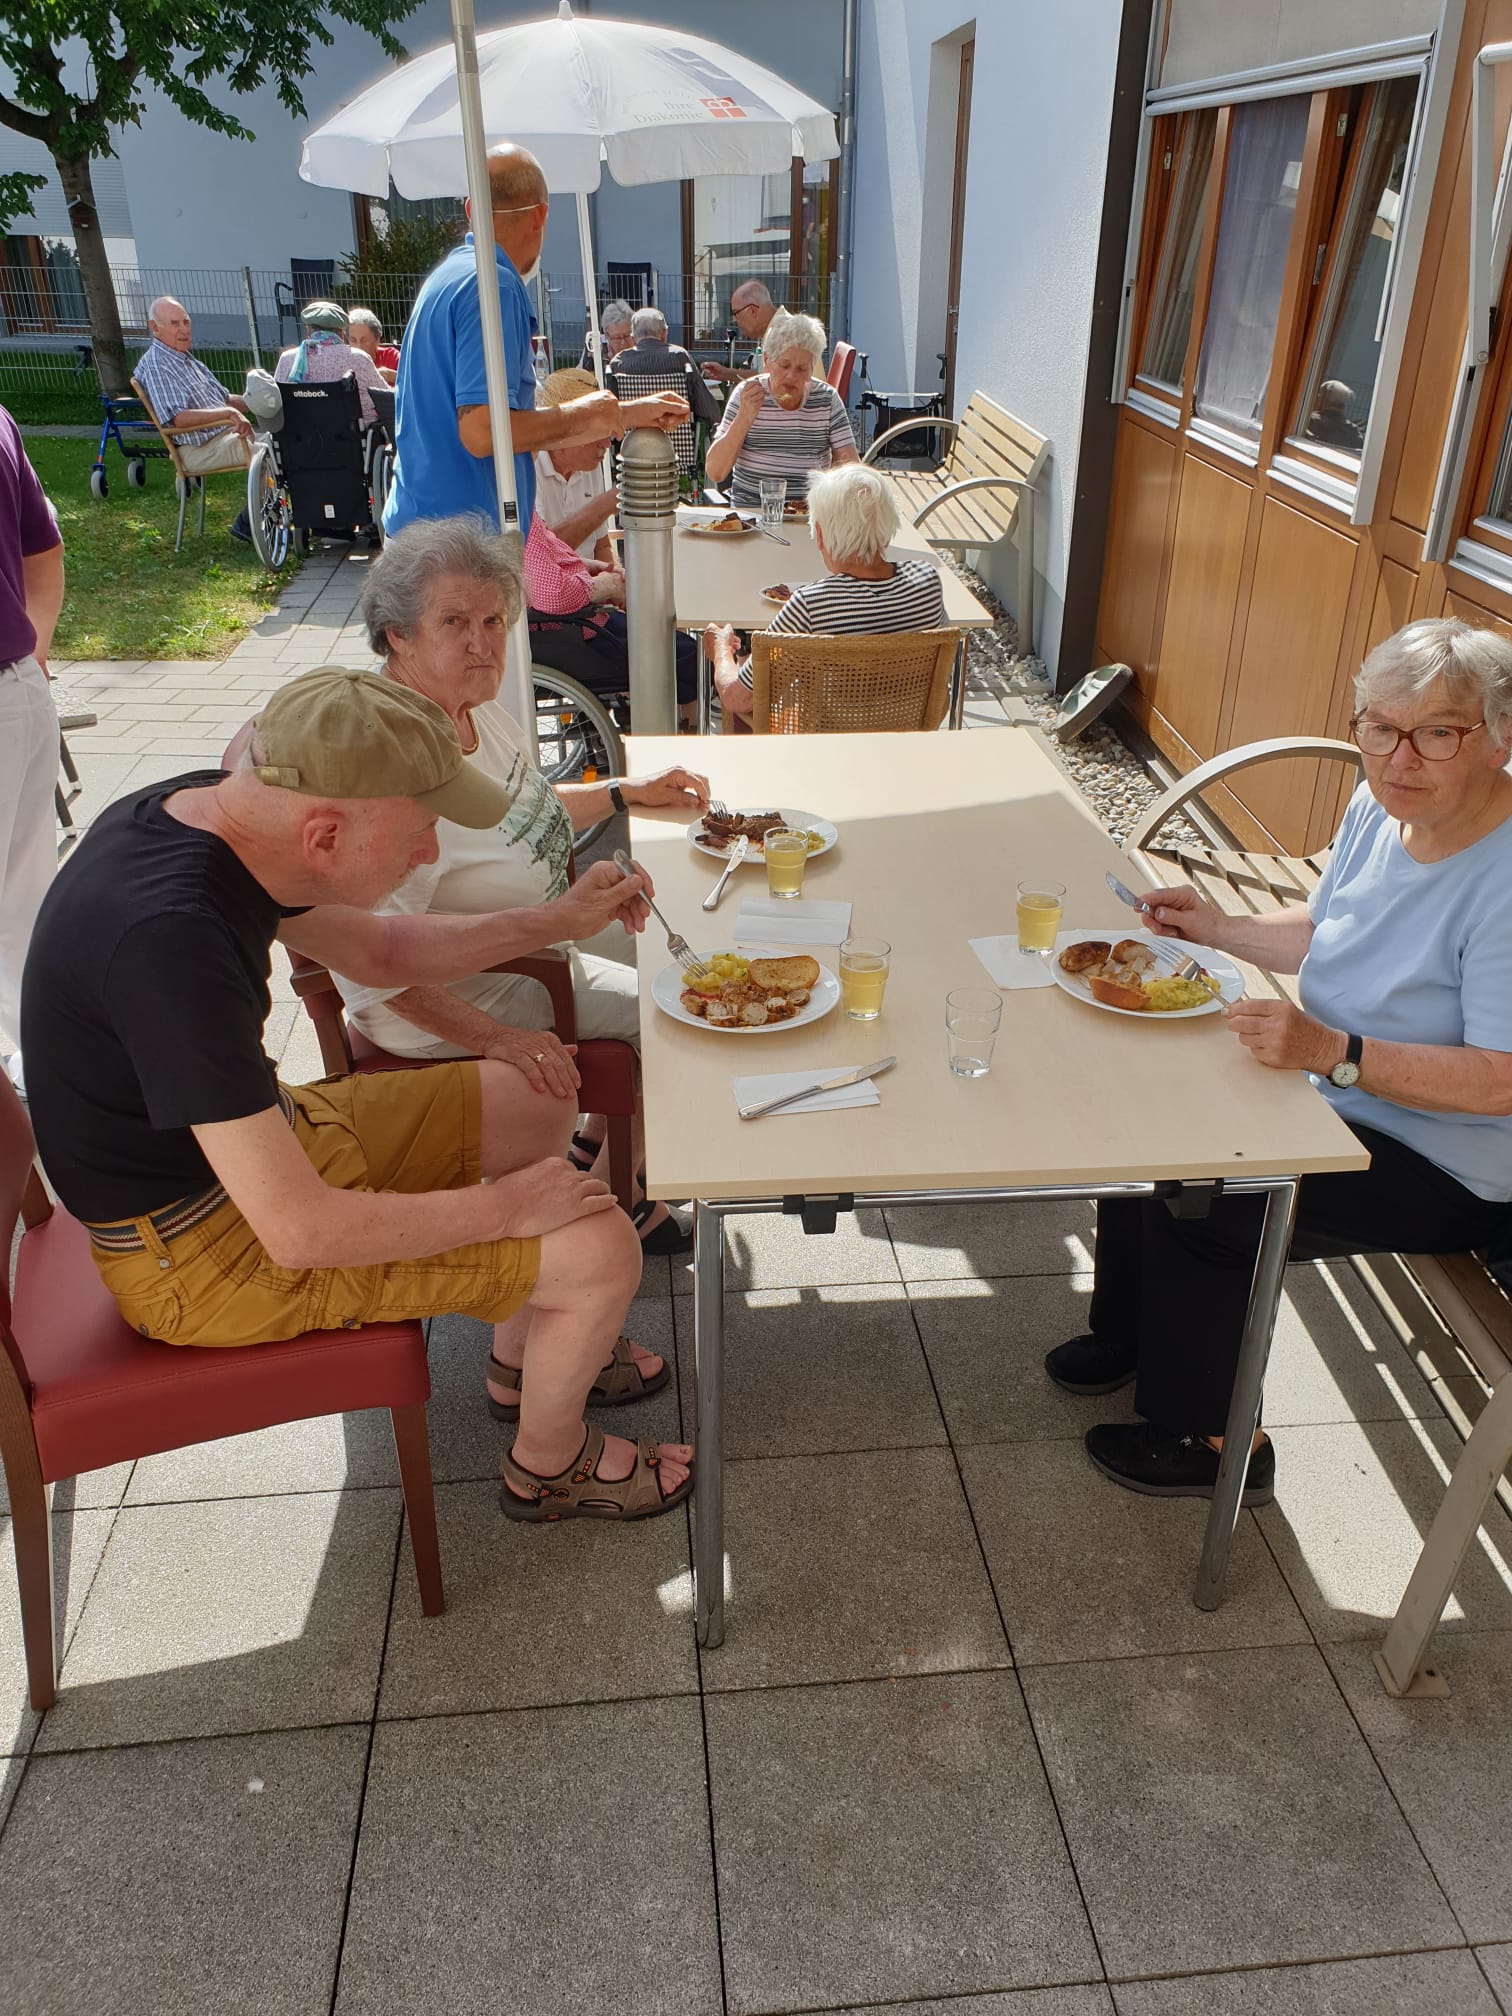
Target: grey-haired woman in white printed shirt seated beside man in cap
[438,608]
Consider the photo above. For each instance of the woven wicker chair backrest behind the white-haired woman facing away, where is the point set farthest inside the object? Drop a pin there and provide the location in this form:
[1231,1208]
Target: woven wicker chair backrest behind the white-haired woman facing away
[852,684]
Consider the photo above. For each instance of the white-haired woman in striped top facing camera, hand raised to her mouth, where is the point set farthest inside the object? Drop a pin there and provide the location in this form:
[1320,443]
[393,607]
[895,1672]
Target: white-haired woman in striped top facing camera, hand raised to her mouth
[785,422]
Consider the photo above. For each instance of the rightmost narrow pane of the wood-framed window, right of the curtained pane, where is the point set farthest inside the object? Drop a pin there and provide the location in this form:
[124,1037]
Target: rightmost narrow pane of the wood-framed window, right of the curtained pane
[1346,354]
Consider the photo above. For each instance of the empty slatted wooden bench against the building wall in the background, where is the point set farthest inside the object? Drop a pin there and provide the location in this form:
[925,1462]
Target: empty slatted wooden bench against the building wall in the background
[983,493]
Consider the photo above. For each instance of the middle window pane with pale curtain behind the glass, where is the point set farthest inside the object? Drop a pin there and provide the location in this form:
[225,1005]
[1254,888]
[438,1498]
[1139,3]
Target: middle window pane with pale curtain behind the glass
[1265,164]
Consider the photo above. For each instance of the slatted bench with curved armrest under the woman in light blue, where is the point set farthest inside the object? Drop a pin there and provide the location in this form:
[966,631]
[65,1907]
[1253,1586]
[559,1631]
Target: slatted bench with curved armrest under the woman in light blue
[1432,1299]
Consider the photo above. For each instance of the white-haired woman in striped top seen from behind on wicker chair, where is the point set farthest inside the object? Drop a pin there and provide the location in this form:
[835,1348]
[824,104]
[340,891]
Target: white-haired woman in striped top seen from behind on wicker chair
[854,521]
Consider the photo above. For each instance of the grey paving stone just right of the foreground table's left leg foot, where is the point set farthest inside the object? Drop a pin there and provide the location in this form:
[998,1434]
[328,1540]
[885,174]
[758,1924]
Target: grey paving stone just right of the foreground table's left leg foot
[852,1567]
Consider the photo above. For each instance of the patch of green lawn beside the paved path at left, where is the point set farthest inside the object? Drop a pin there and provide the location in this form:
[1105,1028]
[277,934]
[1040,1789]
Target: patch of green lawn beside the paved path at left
[130,596]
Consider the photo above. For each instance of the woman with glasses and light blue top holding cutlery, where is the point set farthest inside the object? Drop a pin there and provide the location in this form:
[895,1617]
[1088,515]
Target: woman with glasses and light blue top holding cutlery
[1404,961]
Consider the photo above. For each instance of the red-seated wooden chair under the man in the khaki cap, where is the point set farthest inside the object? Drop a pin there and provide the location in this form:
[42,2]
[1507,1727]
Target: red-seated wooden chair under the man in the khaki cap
[82,1390]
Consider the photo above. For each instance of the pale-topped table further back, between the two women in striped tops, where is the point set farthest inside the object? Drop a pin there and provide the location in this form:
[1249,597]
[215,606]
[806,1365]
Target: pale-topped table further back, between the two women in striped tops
[721,580]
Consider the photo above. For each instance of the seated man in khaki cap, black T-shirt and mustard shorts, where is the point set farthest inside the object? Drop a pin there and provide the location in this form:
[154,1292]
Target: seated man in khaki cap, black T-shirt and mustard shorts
[227,1209]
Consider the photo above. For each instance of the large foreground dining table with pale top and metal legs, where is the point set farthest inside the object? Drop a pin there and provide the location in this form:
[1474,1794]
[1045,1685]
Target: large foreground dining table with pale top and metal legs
[934,834]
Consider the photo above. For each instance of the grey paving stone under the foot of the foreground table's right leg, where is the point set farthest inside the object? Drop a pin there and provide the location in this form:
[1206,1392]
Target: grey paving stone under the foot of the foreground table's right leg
[1088,1571]
